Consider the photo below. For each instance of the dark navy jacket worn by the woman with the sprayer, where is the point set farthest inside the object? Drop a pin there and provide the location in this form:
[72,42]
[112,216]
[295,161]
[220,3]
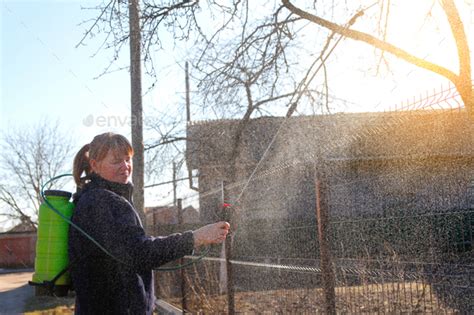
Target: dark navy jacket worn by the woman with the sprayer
[104,285]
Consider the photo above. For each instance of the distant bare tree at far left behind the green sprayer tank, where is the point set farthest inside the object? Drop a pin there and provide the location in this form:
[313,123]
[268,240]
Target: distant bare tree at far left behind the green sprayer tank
[31,157]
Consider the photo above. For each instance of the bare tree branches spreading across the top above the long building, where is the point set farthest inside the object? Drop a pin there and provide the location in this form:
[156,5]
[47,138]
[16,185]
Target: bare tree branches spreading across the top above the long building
[253,59]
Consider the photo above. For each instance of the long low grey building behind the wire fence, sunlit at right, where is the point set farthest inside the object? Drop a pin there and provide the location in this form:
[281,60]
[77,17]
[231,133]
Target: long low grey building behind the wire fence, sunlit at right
[384,174]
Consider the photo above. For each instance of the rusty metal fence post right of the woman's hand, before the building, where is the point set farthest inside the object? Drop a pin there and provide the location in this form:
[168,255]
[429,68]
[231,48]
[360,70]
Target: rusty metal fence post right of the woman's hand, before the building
[323,237]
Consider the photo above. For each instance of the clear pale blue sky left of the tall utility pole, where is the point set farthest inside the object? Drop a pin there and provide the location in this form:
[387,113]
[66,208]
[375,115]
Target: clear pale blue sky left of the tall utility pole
[44,75]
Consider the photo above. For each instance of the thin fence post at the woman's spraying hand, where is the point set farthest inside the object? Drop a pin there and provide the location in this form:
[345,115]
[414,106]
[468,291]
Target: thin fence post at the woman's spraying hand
[226,215]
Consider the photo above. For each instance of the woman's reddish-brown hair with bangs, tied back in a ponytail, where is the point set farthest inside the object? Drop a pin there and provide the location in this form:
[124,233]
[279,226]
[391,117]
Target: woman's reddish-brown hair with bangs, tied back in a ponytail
[97,150]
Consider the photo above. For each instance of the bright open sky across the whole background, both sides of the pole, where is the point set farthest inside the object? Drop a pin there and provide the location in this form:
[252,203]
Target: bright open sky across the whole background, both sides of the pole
[44,74]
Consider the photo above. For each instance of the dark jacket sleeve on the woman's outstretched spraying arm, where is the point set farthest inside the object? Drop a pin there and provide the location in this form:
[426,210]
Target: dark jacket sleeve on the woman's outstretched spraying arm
[112,222]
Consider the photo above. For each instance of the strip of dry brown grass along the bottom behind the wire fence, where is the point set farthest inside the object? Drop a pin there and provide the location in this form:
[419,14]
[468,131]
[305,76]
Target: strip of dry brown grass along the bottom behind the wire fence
[394,298]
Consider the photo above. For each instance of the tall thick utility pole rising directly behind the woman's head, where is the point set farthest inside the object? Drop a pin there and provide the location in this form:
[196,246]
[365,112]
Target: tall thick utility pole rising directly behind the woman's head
[136,108]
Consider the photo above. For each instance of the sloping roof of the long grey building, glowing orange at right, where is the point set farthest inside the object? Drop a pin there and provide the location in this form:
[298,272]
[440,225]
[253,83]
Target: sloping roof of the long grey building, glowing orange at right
[352,136]
